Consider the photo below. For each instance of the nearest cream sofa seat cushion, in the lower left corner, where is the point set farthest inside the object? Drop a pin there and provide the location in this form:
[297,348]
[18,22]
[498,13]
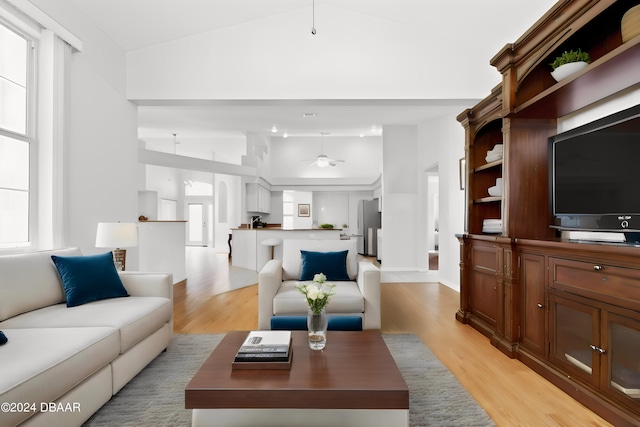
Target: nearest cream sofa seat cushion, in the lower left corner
[43,364]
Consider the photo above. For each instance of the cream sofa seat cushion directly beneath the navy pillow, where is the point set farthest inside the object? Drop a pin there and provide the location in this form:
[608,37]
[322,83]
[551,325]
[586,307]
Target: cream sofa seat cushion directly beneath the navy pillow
[135,317]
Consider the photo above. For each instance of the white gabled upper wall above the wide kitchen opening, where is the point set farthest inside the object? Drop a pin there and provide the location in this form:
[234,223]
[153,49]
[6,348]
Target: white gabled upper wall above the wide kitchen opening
[353,56]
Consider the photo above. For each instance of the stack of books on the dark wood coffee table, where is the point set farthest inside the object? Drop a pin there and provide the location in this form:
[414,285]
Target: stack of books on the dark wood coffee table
[265,350]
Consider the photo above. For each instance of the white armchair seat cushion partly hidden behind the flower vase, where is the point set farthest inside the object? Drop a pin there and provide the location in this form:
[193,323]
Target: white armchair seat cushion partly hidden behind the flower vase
[289,301]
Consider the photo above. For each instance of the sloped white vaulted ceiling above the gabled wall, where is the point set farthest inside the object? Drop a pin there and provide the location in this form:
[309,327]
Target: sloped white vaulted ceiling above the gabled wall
[135,24]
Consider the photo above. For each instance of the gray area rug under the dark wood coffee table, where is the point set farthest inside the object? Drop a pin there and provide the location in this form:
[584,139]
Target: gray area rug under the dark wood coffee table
[156,396]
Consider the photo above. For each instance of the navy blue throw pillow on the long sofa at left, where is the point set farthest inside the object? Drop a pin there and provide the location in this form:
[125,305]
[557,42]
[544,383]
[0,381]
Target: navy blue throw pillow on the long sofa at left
[89,278]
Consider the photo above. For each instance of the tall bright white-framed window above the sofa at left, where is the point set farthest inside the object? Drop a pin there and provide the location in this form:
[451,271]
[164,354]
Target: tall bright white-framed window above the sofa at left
[16,137]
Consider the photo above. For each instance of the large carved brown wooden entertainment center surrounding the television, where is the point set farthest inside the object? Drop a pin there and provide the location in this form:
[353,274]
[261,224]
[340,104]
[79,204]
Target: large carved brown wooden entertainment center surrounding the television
[568,310]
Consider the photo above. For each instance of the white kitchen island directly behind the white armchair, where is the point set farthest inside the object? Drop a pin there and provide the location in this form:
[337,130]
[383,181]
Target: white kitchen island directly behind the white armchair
[249,252]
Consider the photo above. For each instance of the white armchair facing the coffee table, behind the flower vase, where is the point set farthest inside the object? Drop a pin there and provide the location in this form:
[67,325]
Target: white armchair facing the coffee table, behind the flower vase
[278,296]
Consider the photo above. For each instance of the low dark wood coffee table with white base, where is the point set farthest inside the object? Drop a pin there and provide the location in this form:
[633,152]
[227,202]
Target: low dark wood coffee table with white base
[354,381]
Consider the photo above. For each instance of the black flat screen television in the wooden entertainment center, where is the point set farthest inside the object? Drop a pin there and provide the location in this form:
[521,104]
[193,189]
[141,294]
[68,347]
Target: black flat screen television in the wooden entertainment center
[594,175]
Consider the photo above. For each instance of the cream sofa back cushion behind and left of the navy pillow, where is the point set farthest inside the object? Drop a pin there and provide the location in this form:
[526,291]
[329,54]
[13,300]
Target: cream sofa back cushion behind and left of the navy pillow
[30,281]
